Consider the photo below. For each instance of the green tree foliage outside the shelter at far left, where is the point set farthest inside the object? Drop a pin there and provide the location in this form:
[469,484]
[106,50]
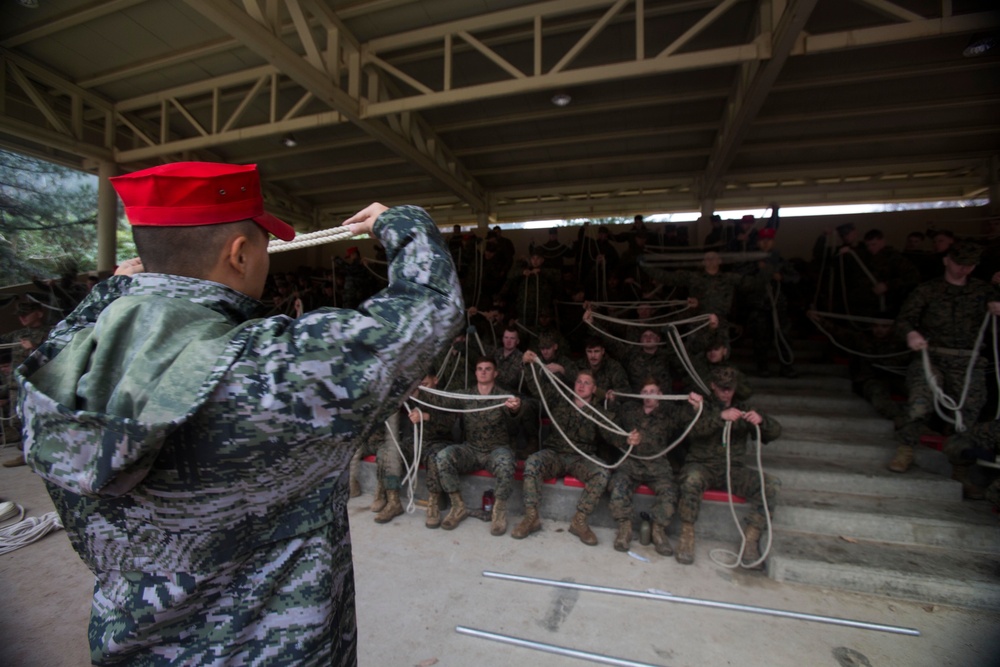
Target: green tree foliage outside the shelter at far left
[48,220]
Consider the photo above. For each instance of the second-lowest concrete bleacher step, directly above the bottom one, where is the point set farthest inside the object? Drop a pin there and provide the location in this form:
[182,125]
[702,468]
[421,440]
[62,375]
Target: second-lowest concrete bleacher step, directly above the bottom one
[971,526]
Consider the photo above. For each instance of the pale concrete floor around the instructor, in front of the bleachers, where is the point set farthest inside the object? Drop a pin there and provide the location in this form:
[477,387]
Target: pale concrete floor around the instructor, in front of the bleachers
[415,585]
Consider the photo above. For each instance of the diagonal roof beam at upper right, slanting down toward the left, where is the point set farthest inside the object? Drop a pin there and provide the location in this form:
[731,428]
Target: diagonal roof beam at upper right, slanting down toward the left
[745,109]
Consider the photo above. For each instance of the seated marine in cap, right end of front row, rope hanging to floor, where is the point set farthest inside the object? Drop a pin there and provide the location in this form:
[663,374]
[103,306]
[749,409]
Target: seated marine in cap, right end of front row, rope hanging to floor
[706,461]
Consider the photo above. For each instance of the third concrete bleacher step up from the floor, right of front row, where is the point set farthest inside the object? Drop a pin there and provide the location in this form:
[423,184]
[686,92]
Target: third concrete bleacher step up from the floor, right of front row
[859,477]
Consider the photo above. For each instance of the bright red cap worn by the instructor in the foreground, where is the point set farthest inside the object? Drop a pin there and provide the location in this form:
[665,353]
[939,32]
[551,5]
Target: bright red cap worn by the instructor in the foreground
[188,194]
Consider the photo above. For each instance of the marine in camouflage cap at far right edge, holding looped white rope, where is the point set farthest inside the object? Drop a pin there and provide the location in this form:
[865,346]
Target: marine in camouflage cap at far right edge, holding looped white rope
[944,317]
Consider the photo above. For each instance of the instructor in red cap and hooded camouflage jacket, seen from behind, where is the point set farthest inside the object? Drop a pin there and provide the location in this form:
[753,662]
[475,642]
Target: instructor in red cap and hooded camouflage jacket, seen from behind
[198,457]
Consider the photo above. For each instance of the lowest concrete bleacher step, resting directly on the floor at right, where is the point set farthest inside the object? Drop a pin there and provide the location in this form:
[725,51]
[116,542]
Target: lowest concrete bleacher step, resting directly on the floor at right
[925,574]
